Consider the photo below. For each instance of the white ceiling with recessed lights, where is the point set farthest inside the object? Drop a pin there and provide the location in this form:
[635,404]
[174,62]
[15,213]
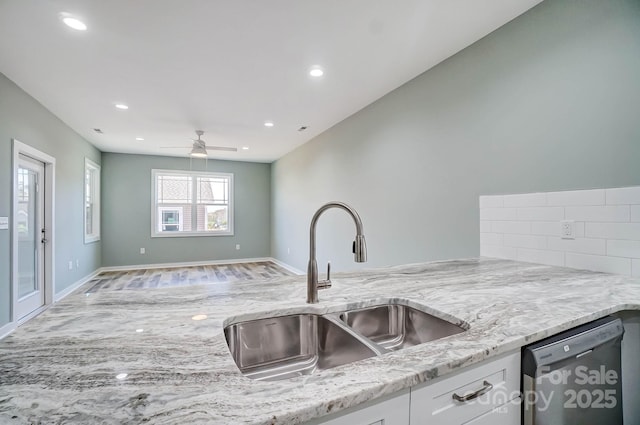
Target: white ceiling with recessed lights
[227,66]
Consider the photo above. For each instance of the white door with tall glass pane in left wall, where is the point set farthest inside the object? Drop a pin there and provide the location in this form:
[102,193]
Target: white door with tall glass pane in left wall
[29,201]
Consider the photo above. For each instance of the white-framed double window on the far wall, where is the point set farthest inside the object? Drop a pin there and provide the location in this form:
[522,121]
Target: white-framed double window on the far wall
[189,203]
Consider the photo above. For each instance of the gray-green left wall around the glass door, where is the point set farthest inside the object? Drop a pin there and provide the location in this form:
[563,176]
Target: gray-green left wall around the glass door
[23,118]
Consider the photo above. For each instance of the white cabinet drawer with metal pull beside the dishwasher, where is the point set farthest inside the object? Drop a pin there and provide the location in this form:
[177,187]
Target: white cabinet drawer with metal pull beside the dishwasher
[498,380]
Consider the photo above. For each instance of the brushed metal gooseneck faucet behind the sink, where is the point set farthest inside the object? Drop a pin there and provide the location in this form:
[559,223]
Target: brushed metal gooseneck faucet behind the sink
[359,250]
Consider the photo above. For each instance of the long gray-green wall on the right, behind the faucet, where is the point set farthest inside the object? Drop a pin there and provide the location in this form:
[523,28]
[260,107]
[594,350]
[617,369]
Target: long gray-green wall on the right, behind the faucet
[548,102]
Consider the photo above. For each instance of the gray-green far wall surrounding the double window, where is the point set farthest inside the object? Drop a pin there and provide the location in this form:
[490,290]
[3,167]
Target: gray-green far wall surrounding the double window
[126,212]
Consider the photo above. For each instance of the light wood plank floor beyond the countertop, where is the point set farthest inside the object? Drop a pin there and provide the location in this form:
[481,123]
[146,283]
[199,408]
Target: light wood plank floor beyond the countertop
[181,276]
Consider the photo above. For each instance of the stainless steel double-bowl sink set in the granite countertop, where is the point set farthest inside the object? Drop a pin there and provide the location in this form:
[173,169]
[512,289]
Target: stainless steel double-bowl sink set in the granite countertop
[283,347]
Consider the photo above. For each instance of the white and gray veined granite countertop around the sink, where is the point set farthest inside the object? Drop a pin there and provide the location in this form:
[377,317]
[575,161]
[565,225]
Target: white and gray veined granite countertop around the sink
[61,367]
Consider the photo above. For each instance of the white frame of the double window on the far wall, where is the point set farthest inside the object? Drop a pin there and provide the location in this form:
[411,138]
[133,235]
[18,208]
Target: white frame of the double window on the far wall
[155,209]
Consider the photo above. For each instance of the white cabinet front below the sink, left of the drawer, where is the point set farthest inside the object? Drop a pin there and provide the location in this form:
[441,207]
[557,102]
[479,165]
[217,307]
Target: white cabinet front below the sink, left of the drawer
[392,411]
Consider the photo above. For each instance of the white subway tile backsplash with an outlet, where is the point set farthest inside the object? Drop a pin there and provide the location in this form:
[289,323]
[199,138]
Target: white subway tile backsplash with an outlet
[527,227]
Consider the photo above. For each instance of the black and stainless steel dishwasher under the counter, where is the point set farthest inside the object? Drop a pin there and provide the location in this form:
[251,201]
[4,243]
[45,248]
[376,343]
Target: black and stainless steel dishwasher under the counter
[574,378]
